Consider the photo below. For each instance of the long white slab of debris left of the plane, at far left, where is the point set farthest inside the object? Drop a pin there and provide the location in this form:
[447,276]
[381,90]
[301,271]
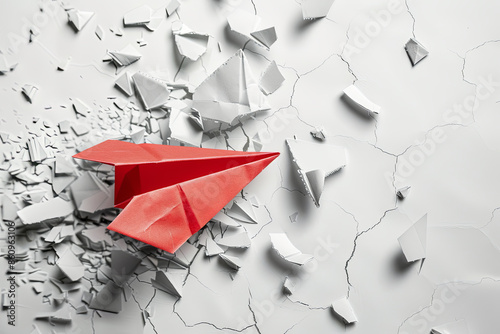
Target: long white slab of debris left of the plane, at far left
[54,208]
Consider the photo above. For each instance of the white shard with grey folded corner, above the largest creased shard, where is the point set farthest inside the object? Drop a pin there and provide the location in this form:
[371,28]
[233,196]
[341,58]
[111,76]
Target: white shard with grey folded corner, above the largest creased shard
[250,26]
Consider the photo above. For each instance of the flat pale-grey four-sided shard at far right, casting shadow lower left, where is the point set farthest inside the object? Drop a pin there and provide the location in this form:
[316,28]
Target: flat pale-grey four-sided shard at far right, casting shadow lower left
[413,242]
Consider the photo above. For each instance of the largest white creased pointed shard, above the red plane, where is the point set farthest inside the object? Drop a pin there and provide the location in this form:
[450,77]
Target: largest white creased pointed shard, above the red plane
[230,93]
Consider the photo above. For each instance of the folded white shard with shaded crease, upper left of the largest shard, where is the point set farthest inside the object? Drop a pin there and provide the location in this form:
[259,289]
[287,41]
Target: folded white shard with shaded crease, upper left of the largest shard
[190,44]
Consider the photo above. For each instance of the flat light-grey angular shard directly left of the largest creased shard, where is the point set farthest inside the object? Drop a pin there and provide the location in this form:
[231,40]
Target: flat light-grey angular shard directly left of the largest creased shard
[153,92]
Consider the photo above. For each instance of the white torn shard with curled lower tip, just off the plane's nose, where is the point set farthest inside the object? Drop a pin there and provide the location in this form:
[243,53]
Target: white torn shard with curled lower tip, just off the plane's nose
[314,162]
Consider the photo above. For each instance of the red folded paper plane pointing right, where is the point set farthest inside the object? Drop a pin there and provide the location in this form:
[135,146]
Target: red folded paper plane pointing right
[169,192]
